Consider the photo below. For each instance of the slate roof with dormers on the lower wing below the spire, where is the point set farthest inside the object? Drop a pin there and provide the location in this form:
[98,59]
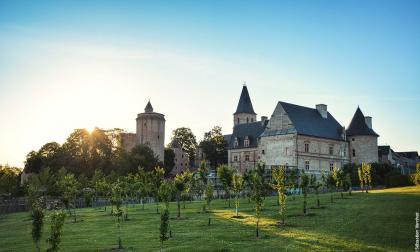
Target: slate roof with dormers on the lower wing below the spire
[252,130]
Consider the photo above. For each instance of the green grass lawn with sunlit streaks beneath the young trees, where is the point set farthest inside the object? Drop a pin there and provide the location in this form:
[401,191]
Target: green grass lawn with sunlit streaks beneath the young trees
[382,220]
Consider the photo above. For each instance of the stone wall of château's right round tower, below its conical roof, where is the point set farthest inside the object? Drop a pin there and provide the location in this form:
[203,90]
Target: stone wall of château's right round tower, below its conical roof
[366,149]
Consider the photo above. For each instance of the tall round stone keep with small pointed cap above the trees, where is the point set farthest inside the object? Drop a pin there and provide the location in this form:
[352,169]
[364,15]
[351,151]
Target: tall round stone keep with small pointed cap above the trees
[151,130]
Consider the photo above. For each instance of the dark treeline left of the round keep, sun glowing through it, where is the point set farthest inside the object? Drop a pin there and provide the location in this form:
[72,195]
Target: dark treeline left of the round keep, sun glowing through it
[86,152]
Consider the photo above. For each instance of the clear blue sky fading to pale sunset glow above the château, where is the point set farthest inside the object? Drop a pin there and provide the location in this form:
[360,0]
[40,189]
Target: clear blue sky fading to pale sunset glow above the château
[85,64]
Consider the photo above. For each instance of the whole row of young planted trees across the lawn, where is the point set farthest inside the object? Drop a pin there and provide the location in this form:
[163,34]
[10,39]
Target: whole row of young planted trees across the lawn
[119,192]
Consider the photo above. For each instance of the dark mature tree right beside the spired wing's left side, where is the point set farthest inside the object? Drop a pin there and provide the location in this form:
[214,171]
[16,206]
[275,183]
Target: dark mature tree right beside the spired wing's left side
[214,147]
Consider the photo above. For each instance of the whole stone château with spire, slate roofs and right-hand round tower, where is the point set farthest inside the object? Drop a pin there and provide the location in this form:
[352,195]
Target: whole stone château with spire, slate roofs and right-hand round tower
[309,139]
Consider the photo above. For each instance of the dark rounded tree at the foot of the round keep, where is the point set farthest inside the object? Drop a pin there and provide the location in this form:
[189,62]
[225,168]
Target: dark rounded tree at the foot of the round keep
[143,156]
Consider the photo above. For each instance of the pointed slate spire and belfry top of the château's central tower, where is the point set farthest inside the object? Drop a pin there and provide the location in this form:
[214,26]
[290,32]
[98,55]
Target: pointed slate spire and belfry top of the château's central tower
[244,112]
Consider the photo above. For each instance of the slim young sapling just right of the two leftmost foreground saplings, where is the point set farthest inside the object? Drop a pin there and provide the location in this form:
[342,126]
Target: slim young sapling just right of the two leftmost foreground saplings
[69,188]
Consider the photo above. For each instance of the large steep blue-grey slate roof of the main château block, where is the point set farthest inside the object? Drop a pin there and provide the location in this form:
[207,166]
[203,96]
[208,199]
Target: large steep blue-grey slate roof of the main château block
[308,121]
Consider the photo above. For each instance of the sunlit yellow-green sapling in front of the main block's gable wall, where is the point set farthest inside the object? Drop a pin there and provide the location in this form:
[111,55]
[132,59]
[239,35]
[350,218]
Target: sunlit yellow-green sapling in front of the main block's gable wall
[280,185]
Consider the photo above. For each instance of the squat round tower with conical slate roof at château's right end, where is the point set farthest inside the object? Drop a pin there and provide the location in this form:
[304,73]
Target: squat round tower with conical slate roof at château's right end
[363,140]
